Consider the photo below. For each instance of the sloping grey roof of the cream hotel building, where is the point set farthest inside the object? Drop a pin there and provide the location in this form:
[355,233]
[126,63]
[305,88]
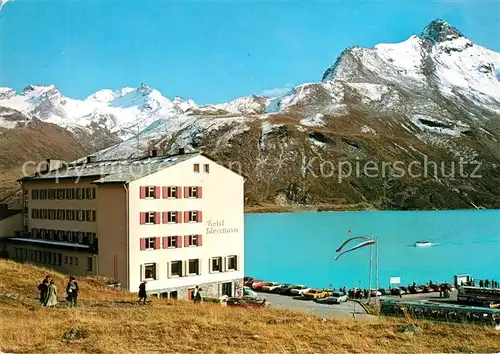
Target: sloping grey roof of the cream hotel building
[112,171]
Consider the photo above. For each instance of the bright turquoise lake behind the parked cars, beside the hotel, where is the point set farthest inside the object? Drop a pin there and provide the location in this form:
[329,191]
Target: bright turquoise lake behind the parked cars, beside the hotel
[300,247]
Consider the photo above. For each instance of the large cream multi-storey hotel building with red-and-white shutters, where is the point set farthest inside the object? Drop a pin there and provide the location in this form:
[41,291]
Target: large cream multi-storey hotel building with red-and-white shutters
[175,221]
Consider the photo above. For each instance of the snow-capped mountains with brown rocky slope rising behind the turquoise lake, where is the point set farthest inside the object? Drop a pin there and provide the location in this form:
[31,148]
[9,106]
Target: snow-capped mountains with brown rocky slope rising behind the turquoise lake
[435,95]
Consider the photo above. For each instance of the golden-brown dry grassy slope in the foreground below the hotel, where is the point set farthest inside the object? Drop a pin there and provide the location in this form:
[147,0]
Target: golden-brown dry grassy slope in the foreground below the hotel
[112,323]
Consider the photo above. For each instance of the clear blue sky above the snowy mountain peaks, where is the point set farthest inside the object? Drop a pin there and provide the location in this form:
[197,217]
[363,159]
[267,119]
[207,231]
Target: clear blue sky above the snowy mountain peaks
[211,51]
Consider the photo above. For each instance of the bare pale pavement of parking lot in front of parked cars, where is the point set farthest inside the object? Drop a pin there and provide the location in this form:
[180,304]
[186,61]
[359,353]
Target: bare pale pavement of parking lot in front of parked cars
[345,310]
